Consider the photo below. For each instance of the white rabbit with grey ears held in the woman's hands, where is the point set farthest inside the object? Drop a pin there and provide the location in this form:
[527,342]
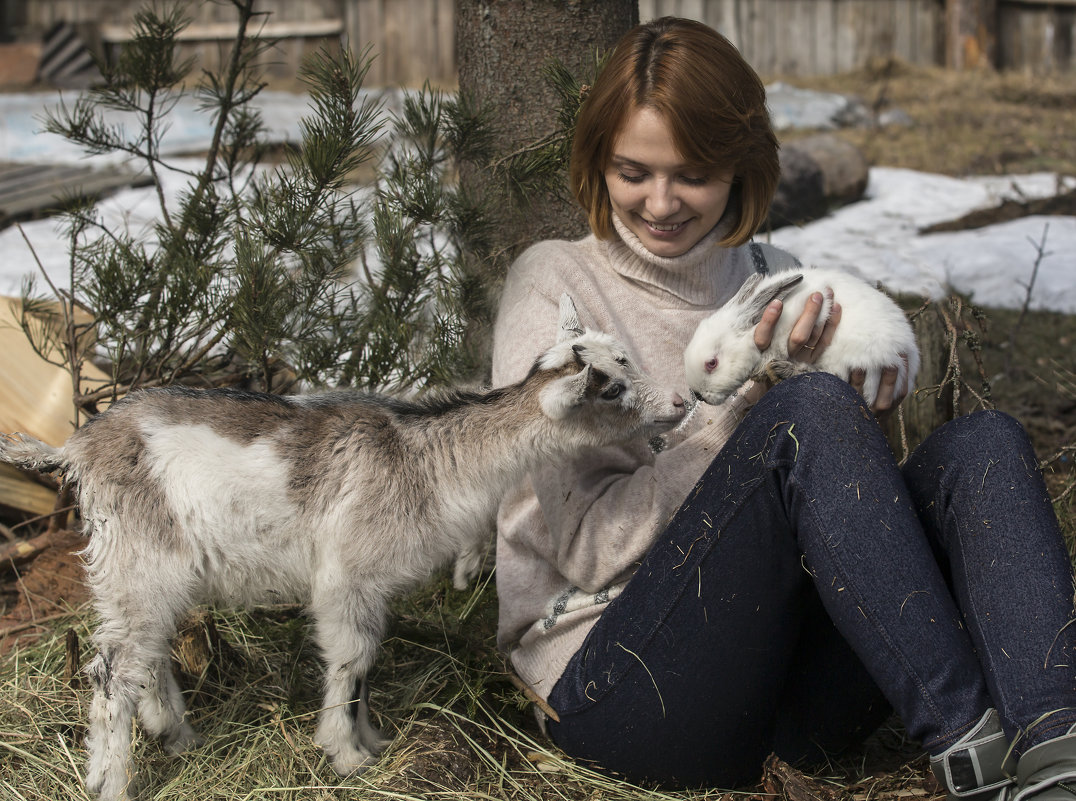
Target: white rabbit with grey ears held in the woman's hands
[874,334]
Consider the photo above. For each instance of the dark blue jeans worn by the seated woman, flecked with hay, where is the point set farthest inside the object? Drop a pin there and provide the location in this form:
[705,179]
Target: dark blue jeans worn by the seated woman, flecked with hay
[809,583]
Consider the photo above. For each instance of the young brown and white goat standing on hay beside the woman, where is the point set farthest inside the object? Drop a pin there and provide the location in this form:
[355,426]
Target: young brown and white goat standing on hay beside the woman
[338,501]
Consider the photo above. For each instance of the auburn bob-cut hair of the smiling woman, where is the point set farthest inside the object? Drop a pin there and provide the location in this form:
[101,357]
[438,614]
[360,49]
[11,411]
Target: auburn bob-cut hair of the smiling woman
[712,99]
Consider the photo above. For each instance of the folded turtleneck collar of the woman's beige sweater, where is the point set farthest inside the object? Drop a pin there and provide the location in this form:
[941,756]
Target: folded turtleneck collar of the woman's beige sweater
[692,277]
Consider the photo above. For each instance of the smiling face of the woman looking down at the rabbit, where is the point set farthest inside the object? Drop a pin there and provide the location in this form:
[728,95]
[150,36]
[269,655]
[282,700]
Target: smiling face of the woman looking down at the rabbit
[667,204]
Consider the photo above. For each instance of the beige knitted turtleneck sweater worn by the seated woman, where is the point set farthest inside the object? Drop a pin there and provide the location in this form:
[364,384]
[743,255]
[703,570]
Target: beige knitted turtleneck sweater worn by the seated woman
[571,537]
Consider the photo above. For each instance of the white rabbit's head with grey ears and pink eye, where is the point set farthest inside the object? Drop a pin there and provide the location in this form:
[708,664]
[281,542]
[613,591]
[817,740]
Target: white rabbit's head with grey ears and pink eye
[723,354]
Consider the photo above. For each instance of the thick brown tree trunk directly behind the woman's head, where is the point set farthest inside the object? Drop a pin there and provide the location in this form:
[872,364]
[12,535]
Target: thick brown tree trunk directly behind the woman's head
[502,50]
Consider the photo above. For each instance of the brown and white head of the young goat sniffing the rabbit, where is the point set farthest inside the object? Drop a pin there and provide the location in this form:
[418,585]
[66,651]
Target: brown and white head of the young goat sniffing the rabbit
[593,386]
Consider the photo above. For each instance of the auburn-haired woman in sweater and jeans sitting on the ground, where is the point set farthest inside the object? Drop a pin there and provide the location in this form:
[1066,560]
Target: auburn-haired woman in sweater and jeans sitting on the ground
[775,582]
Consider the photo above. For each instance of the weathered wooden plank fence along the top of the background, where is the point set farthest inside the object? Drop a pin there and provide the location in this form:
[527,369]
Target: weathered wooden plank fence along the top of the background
[415,40]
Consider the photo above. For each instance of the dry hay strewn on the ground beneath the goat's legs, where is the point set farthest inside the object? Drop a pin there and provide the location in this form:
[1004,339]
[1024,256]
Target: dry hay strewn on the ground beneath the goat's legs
[460,728]
